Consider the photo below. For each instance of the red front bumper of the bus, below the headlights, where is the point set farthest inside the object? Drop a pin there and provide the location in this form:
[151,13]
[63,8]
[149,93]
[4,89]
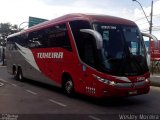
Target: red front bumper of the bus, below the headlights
[122,90]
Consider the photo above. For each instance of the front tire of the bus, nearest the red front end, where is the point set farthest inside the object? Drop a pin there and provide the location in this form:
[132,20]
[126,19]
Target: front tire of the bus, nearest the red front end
[68,87]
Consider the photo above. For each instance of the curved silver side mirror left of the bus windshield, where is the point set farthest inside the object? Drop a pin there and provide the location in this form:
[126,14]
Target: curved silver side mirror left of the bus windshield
[97,36]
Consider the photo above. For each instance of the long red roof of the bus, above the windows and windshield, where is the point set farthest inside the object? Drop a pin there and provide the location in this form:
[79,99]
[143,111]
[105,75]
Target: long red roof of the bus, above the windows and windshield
[79,16]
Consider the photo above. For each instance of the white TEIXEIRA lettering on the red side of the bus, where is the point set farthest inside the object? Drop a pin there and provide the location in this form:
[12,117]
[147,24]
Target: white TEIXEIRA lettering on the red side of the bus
[55,55]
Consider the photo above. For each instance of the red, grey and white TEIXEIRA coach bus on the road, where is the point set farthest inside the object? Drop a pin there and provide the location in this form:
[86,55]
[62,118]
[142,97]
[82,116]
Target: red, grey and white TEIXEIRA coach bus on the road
[95,55]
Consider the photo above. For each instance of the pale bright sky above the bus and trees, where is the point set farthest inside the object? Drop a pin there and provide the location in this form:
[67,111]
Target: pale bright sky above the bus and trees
[18,11]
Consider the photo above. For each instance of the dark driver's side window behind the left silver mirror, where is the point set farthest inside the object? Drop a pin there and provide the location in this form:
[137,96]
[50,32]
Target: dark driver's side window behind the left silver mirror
[85,43]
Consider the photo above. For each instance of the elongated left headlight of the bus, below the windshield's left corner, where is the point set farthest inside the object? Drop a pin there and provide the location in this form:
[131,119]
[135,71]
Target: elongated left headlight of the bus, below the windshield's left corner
[108,82]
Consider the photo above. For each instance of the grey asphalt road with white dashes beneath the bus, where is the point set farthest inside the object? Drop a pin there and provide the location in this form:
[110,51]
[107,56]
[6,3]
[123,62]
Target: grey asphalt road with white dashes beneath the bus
[30,100]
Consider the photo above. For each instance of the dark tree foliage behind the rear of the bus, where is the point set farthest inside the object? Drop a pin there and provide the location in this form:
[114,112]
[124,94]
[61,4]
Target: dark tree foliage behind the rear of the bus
[5,30]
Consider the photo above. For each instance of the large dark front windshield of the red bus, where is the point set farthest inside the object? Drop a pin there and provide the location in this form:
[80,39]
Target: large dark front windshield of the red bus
[123,50]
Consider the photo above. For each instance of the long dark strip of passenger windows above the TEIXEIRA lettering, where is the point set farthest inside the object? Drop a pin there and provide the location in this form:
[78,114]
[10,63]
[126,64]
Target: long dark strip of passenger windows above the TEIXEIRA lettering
[55,36]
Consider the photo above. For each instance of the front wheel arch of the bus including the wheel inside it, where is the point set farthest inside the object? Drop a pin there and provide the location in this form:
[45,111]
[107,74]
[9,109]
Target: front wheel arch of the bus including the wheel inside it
[67,84]
